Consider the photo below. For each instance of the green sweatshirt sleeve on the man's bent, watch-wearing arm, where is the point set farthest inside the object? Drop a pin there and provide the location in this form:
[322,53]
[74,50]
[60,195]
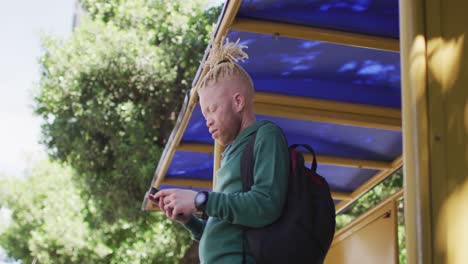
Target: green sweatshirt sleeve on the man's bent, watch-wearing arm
[263,204]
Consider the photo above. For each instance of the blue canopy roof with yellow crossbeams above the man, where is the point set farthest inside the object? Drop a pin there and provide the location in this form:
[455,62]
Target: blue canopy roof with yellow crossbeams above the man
[339,93]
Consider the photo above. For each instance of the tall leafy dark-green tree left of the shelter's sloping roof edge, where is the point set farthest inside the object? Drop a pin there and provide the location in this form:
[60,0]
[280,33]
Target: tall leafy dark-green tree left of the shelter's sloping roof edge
[110,93]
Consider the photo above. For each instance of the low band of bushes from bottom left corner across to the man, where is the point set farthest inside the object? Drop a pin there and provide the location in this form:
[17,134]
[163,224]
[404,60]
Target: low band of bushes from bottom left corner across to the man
[50,222]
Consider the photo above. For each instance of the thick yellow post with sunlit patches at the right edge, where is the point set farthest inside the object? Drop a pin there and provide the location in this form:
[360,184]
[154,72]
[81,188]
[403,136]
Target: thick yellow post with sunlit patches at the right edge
[435,128]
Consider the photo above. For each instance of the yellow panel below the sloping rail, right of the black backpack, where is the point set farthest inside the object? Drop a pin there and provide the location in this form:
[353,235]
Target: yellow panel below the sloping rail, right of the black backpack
[370,239]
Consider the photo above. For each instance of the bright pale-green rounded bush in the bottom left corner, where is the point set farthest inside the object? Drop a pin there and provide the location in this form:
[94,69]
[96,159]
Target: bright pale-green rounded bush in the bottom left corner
[47,219]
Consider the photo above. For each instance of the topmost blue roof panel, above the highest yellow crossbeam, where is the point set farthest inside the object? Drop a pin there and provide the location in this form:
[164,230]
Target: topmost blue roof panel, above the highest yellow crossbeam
[373,17]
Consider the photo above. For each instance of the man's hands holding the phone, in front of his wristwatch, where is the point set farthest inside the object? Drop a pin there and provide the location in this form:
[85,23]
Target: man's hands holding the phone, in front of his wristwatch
[177,204]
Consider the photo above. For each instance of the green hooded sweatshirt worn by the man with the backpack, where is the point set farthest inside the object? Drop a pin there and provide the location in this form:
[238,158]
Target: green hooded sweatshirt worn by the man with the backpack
[229,208]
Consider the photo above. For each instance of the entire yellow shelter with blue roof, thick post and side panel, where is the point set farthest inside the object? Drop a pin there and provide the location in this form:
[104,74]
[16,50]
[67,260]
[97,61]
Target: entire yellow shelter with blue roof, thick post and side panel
[371,85]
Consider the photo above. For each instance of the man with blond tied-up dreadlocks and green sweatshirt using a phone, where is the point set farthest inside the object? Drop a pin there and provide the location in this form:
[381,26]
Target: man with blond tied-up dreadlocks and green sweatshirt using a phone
[226,99]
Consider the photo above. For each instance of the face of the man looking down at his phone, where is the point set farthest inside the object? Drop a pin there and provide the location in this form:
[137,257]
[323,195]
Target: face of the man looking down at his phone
[217,105]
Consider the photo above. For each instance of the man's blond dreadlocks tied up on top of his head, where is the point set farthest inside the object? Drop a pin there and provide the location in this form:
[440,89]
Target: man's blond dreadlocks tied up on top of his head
[222,63]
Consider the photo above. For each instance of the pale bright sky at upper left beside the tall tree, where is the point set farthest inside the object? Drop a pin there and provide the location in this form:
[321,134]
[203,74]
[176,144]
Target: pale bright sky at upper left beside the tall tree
[21,24]
